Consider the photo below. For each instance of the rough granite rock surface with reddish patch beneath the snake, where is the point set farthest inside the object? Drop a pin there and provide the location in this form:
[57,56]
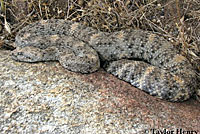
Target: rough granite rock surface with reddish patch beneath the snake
[44,98]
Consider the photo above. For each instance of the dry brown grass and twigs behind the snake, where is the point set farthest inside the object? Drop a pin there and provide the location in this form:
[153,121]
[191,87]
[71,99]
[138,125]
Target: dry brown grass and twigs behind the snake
[176,20]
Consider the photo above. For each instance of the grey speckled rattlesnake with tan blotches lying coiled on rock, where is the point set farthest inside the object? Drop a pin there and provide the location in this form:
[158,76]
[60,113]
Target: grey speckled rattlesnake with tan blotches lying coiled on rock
[162,72]
